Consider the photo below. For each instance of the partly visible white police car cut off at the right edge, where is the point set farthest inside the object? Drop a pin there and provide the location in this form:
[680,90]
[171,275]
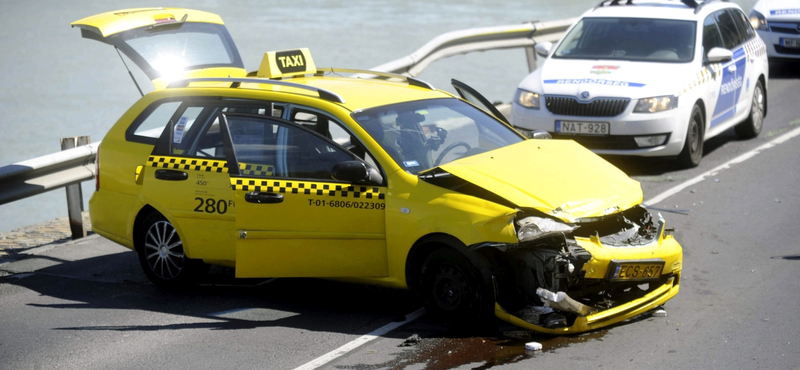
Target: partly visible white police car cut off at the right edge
[778,24]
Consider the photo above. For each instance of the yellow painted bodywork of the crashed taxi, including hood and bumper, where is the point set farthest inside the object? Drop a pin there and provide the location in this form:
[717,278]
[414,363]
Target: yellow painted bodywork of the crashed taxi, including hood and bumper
[360,232]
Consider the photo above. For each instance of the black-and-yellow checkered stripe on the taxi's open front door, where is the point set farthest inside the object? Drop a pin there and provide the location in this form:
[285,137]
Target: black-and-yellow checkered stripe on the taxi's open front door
[308,188]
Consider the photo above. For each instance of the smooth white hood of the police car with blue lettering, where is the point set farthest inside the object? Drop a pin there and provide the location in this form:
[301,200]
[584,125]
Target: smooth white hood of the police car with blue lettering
[610,78]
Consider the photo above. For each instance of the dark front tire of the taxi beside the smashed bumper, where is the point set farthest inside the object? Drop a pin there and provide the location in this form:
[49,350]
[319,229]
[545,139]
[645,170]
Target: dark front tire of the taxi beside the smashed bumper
[454,290]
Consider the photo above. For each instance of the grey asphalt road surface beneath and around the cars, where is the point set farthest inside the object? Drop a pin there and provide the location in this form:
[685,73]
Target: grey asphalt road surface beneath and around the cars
[86,305]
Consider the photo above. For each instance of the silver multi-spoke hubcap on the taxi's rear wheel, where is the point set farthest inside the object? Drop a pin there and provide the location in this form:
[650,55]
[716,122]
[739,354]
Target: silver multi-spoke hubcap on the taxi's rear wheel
[163,250]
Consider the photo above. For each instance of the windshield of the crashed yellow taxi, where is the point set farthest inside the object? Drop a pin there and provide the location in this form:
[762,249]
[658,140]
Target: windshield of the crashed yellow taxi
[423,134]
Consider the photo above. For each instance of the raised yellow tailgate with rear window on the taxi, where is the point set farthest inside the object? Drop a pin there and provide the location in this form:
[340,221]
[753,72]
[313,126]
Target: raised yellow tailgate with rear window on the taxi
[168,43]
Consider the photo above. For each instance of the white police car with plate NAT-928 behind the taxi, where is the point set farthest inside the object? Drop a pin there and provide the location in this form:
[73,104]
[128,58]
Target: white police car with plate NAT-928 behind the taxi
[649,78]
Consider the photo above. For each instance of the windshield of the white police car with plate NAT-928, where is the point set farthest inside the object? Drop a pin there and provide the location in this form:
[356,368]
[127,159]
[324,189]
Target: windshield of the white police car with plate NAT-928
[637,39]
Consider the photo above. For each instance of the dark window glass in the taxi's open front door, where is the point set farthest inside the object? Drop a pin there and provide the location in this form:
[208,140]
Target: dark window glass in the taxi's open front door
[271,148]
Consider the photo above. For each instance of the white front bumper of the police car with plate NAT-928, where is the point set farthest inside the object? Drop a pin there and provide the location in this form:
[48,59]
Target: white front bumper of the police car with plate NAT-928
[637,134]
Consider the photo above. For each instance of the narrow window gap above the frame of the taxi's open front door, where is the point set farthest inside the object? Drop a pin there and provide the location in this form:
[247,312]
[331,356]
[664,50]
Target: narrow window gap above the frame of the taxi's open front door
[332,129]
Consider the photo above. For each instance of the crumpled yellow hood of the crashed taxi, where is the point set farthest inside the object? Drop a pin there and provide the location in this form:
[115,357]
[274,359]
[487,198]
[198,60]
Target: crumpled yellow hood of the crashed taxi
[557,177]
